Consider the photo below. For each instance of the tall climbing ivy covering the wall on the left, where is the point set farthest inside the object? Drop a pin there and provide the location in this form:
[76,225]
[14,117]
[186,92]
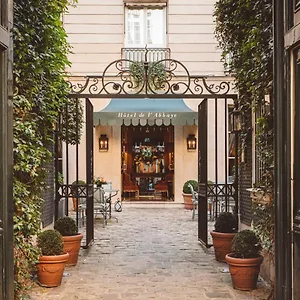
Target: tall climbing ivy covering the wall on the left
[40,59]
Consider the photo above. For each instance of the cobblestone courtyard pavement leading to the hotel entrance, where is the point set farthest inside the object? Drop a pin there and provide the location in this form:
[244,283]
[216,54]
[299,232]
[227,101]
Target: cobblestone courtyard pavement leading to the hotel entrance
[148,254]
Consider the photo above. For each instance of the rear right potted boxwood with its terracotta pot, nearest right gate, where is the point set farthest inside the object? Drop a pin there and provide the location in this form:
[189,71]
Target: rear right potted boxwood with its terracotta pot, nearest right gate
[225,230]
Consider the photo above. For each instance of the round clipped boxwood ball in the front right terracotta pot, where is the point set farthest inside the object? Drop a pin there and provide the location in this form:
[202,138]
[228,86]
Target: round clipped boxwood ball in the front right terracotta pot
[246,244]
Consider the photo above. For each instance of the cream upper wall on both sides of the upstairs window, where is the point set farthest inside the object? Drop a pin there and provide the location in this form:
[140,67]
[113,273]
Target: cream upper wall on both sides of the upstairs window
[96,32]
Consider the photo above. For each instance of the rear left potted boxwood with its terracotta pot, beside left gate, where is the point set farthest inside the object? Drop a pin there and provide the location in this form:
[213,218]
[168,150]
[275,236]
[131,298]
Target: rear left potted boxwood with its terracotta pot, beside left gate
[67,227]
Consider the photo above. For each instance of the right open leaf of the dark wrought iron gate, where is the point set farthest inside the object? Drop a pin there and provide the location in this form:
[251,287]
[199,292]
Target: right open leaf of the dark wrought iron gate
[220,191]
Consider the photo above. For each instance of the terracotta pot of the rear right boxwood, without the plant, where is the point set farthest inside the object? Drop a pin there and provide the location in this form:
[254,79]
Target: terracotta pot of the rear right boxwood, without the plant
[222,244]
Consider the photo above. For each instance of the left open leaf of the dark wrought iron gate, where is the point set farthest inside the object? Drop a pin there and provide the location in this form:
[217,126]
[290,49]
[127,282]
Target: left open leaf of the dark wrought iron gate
[81,190]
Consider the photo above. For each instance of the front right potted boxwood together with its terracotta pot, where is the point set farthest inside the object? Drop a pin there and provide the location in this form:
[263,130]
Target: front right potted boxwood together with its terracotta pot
[245,259]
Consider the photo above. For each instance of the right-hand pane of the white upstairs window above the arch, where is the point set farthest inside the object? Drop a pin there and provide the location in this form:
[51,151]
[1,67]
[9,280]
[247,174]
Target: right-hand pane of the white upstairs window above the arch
[155,27]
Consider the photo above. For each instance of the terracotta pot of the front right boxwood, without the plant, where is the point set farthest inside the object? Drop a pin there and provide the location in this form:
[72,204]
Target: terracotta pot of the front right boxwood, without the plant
[244,271]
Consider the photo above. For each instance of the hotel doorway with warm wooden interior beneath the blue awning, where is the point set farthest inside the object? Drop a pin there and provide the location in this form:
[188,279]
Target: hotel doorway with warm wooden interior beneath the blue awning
[147,163]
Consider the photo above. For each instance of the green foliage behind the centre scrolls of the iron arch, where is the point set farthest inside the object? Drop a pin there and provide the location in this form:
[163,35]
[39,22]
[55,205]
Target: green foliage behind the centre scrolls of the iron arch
[156,74]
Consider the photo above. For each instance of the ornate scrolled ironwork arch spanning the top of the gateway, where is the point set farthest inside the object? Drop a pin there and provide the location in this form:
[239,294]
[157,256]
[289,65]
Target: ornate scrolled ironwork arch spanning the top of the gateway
[166,78]
